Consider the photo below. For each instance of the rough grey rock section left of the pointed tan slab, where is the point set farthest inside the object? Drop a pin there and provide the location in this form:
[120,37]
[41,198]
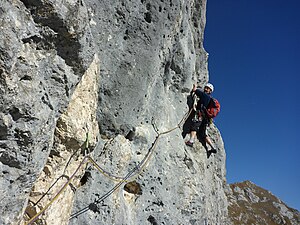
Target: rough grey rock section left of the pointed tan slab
[37,78]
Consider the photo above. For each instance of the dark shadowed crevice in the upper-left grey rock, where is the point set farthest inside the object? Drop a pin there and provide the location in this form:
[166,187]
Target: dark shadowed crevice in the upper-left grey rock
[55,34]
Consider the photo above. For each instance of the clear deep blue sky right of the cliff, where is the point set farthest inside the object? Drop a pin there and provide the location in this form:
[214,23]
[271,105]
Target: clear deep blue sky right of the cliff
[254,63]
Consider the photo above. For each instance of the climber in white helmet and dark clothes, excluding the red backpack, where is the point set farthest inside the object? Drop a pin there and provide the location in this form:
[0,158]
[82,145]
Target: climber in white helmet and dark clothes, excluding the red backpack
[201,119]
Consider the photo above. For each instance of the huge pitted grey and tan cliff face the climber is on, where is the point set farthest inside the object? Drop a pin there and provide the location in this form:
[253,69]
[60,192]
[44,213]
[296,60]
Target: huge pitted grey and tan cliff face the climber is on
[112,79]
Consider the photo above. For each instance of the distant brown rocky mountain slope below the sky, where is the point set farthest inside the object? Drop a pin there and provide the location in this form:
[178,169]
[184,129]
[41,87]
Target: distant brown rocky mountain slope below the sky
[250,204]
